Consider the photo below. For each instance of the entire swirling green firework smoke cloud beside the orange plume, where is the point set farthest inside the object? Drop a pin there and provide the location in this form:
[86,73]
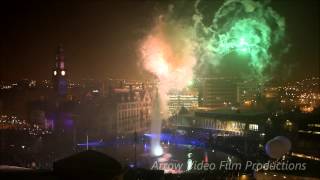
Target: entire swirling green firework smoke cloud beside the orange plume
[242,27]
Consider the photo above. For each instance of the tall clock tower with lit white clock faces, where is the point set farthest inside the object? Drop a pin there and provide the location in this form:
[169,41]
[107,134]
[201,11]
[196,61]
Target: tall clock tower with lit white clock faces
[59,73]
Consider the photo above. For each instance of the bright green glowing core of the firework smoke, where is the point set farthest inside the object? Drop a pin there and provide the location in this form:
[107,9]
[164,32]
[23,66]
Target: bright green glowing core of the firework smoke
[248,36]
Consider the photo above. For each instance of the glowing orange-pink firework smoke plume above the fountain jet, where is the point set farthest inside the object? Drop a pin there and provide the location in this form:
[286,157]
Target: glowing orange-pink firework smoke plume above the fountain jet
[168,53]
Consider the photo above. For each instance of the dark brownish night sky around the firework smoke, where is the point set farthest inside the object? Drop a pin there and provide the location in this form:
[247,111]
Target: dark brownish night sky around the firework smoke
[100,38]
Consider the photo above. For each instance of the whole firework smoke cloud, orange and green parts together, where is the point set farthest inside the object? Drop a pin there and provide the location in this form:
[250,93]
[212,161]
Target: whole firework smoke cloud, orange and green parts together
[243,36]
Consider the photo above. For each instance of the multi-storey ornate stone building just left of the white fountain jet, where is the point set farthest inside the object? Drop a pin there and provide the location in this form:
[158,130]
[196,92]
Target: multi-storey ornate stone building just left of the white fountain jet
[127,110]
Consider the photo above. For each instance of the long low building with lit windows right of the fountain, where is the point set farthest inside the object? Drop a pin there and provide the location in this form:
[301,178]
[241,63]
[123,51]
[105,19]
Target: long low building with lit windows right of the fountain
[225,121]
